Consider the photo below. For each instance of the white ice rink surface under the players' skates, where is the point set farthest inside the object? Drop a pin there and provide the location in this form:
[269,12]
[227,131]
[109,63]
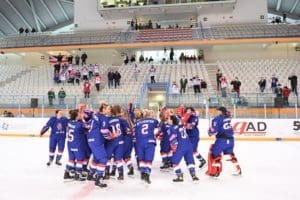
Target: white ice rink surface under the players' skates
[271,170]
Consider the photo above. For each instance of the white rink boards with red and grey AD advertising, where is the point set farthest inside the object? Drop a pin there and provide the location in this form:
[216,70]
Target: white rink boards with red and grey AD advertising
[245,129]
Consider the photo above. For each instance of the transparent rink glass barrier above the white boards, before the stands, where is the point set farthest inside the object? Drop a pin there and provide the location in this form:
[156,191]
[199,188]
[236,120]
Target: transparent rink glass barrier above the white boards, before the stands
[244,107]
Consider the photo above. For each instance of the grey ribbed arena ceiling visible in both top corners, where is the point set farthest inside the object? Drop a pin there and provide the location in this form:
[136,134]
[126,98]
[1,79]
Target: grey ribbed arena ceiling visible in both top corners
[49,15]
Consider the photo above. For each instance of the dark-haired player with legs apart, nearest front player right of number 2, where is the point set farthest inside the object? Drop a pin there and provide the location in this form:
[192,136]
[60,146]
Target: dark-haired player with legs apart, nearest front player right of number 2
[182,148]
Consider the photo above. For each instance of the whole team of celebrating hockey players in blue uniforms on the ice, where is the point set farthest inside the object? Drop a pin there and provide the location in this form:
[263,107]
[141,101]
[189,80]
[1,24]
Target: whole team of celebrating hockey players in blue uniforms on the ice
[101,143]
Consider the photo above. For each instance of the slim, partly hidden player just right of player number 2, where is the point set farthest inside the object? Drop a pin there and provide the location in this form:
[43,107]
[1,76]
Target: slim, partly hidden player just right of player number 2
[164,137]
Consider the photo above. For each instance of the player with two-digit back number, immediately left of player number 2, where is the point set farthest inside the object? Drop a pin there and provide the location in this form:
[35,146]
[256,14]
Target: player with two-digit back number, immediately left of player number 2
[115,146]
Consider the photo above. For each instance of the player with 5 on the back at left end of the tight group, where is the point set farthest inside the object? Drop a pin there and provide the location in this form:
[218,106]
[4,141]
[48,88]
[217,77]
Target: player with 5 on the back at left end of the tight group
[76,147]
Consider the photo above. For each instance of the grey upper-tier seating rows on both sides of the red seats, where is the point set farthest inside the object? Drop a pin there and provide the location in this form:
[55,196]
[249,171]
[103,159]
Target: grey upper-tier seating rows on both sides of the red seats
[109,37]
